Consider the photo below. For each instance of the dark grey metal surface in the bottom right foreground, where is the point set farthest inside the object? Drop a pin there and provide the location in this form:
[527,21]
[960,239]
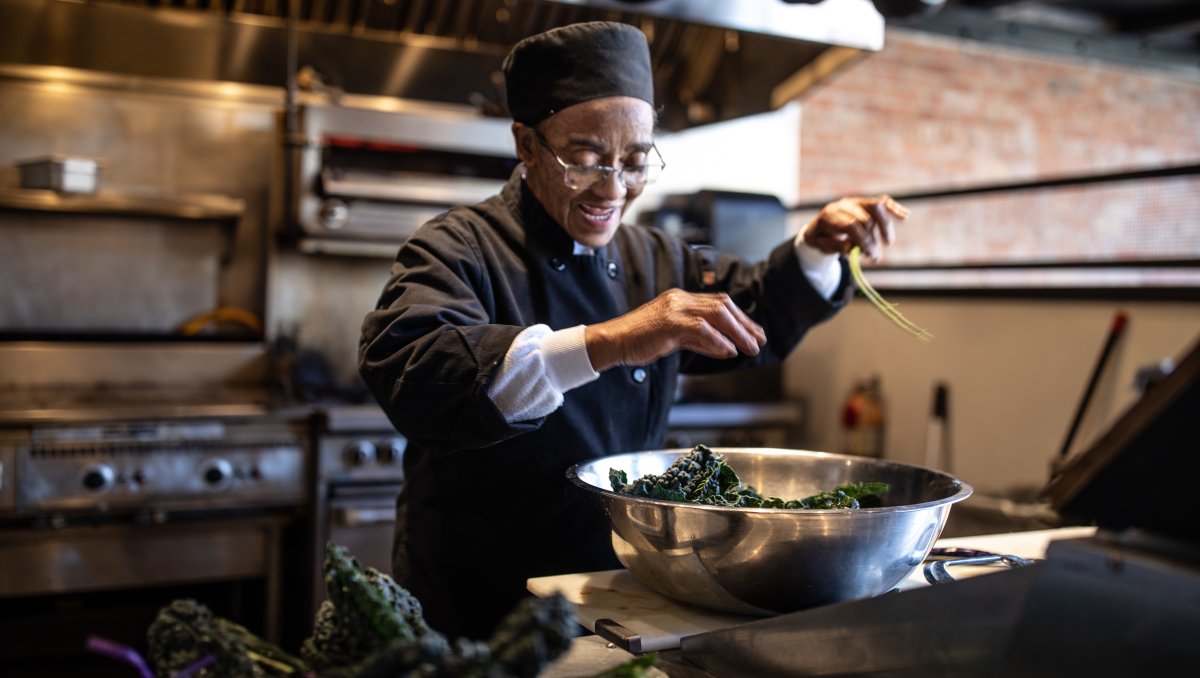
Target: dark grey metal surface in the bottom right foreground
[1100,607]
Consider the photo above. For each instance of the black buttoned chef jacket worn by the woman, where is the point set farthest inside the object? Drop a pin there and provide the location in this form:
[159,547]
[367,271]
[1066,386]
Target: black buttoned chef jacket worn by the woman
[487,505]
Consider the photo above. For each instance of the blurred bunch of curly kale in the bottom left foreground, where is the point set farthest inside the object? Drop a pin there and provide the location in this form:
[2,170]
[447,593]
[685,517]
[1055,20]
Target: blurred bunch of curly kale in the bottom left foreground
[369,628]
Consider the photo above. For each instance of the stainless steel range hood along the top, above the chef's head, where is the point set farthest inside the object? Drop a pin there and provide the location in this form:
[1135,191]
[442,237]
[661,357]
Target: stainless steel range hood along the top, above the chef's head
[715,59]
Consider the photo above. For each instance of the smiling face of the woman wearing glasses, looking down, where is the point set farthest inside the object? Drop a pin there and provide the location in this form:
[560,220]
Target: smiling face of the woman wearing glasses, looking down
[613,131]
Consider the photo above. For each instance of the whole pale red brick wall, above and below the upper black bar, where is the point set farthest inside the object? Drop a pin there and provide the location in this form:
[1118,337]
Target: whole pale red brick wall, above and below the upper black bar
[932,112]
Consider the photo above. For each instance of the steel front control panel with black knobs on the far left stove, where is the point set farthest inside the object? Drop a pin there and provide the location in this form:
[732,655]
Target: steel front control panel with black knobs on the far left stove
[159,465]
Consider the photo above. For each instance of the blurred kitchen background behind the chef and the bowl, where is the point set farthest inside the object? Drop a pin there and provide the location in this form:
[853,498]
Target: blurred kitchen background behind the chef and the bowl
[200,200]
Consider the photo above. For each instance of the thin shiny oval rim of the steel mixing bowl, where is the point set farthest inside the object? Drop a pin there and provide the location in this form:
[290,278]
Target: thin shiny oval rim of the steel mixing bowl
[964,489]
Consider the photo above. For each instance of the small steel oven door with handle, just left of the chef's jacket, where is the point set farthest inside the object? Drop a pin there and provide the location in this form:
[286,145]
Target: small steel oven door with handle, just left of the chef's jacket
[362,518]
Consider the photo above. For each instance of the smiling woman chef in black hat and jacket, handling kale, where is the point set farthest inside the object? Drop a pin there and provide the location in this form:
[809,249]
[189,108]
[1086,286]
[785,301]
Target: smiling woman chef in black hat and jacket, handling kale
[535,331]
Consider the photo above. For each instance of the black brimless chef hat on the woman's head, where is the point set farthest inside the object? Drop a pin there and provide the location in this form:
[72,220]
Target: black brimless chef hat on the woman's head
[577,63]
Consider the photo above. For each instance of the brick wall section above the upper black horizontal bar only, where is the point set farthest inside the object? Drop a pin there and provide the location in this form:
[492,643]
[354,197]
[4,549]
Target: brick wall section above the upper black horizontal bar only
[937,112]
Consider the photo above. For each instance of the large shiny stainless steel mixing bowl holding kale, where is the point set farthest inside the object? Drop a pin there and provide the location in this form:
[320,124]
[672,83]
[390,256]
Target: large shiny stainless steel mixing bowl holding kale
[769,561]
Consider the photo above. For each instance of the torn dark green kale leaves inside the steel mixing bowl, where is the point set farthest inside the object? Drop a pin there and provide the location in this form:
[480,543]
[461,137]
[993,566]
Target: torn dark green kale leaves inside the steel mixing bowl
[703,477]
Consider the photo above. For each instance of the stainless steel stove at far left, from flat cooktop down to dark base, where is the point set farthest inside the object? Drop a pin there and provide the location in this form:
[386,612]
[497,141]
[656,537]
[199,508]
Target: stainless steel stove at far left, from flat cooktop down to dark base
[133,475]
